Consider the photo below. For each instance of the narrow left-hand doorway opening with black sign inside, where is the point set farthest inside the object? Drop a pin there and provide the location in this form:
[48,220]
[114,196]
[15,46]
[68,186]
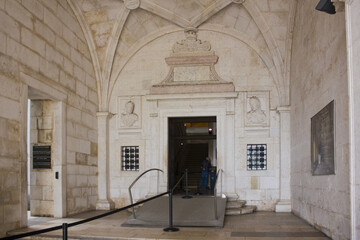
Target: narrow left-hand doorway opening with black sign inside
[40,164]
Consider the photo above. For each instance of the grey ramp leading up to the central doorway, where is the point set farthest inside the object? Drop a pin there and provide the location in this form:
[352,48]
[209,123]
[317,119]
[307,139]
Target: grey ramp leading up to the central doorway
[194,212]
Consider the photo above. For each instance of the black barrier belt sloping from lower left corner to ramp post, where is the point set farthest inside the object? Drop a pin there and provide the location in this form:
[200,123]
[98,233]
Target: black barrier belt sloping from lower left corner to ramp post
[64,226]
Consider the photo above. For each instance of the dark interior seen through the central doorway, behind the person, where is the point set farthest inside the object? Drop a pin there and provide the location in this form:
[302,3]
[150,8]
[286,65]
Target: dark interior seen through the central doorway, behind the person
[191,140]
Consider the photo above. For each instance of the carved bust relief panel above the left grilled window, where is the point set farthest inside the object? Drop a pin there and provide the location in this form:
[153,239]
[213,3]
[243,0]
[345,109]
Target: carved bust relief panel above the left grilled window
[129,112]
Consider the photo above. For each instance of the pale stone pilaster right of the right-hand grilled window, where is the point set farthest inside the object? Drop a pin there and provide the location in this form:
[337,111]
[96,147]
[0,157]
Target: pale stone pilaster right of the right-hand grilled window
[284,204]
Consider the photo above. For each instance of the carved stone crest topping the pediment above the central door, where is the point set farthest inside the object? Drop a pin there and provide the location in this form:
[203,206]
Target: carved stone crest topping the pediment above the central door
[191,43]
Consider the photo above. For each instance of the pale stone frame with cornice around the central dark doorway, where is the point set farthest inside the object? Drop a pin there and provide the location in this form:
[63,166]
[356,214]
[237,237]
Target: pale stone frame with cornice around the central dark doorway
[219,105]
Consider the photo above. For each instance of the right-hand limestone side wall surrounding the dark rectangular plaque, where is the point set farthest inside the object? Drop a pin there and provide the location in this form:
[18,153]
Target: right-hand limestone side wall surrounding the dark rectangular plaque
[318,76]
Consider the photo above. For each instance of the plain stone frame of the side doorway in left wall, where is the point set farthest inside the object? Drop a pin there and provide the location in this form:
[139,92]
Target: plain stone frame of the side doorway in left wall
[58,98]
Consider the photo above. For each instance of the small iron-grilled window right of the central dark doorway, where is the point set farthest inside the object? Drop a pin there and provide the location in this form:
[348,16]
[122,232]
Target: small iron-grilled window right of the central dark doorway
[256,157]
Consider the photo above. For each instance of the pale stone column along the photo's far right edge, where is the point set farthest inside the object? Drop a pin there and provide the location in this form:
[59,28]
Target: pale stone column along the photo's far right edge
[352,9]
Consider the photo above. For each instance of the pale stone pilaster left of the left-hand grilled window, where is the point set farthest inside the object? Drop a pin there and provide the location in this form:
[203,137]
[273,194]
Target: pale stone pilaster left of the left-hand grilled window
[104,202]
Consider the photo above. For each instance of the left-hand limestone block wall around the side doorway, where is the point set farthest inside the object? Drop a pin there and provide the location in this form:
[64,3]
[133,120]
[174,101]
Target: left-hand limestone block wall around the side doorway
[43,50]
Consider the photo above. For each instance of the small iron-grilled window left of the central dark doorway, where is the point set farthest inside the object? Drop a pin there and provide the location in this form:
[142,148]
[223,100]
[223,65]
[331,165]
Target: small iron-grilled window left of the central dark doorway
[130,158]
